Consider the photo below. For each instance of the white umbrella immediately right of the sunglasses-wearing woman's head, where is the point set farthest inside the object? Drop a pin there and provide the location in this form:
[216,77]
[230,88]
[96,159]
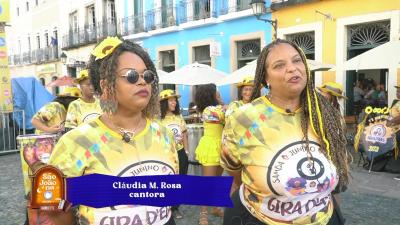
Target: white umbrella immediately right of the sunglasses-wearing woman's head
[193,74]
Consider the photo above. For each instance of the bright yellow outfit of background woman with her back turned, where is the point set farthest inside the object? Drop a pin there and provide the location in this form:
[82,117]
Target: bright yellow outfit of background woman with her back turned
[209,147]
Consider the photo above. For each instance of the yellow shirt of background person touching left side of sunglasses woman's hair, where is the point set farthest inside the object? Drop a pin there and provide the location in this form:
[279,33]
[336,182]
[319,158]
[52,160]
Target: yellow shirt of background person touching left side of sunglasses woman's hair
[80,112]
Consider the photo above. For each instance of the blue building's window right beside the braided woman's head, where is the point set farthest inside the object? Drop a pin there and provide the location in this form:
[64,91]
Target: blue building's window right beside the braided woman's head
[247,51]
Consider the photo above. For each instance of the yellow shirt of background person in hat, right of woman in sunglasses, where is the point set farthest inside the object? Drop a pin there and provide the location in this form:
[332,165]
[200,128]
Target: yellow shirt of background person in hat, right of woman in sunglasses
[177,125]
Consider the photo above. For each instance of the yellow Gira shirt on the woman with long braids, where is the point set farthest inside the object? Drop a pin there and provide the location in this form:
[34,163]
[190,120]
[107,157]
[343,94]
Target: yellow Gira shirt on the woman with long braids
[281,184]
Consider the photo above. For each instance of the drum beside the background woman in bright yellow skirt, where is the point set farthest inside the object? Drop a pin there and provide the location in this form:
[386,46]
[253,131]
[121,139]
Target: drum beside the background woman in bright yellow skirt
[195,132]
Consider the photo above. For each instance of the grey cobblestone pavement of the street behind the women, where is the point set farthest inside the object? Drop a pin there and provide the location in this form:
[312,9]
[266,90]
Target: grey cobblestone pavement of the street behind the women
[372,199]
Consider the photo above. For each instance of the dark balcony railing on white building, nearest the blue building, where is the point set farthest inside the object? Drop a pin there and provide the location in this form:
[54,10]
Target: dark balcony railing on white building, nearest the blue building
[89,34]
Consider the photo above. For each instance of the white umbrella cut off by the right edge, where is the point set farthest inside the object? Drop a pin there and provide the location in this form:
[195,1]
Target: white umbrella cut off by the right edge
[384,56]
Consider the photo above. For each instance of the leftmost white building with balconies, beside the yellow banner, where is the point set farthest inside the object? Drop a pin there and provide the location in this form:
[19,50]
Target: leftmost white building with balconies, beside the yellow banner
[33,40]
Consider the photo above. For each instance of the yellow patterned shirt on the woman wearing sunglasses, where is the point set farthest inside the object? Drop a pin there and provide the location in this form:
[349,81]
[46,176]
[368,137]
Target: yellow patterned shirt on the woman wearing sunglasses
[94,148]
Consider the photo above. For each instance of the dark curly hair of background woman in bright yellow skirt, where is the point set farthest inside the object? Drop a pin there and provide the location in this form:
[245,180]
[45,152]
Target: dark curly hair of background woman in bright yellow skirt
[206,96]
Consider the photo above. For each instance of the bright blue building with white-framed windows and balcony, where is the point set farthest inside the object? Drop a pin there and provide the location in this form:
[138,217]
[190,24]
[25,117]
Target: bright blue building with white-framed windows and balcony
[221,33]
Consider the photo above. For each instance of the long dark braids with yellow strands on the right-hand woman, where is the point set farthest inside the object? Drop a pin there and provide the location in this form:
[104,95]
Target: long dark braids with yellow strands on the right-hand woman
[316,109]
